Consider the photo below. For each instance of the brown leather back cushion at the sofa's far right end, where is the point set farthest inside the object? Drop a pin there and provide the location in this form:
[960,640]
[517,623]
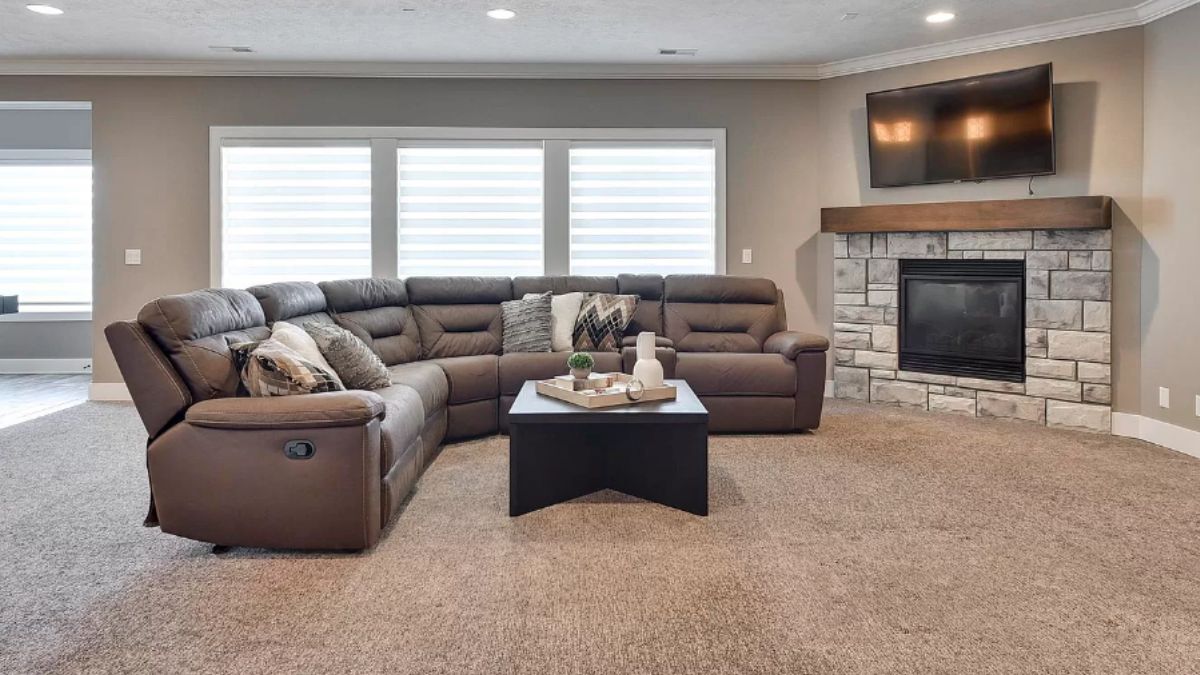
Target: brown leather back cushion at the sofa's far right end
[721,314]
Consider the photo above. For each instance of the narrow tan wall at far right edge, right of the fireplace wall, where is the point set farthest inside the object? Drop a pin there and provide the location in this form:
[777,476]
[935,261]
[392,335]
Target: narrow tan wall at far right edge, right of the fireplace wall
[1171,308]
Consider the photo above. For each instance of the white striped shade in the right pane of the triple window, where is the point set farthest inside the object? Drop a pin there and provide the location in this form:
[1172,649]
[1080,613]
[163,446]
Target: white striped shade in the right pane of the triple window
[643,208]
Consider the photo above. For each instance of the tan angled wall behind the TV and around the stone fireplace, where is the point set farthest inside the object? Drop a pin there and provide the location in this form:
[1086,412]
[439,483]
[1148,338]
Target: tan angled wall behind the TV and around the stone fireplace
[1100,148]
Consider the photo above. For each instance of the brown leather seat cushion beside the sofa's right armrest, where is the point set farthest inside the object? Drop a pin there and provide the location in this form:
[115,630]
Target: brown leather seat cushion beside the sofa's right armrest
[733,374]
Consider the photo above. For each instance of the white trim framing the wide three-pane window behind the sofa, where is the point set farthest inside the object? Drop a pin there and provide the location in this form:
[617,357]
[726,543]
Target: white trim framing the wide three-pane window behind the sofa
[385,141]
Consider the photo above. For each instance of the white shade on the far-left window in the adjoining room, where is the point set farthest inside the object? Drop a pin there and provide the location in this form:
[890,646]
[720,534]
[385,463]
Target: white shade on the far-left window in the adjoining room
[46,235]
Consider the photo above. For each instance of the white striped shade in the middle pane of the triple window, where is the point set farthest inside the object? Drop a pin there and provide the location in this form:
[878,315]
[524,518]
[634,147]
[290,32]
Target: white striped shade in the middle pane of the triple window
[470,211]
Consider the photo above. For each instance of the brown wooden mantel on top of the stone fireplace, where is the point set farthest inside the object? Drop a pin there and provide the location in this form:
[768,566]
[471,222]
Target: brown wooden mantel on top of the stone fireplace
[1048,213]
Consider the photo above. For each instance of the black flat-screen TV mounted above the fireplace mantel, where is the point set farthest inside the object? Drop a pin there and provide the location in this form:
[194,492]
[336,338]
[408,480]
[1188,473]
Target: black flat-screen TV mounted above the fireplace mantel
[999,126]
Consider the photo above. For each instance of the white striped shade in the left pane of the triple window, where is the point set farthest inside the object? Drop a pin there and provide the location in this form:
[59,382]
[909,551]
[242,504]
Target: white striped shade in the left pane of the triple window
[296,213]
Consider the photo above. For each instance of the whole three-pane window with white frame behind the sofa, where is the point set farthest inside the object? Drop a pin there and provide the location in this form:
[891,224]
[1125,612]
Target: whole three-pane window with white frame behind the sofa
[317,204]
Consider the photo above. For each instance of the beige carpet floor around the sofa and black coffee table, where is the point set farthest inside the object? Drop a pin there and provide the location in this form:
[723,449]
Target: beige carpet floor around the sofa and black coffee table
[890,541]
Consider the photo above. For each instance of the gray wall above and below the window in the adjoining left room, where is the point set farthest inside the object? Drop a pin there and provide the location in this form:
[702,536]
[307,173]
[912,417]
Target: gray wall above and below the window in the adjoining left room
[45,130]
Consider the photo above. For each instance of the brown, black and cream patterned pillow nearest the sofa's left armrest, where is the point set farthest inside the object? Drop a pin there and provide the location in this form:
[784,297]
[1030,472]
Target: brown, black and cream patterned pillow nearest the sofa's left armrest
[273,369]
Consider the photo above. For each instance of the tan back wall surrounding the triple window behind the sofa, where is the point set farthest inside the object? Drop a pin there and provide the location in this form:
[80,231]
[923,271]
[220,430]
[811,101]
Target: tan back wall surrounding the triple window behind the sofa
[151,145]
